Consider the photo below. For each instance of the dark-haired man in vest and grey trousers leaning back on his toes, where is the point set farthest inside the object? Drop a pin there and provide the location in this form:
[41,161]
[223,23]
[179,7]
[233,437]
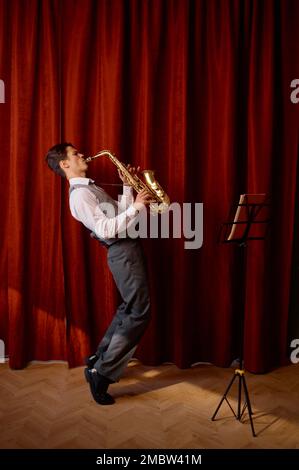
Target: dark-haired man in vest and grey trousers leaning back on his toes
[88,204]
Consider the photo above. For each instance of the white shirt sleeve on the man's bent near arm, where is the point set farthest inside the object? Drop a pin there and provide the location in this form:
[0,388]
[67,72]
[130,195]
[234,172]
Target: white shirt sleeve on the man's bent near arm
[86,208]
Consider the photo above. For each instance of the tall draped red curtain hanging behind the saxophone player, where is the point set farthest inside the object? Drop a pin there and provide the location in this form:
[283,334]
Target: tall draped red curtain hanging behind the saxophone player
[198,91]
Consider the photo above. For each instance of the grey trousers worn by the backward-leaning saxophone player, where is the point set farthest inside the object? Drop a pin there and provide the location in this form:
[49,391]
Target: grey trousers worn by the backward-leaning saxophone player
[127,265]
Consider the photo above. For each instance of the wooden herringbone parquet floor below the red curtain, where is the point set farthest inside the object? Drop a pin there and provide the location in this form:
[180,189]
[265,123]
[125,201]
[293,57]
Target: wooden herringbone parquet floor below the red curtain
[49,406]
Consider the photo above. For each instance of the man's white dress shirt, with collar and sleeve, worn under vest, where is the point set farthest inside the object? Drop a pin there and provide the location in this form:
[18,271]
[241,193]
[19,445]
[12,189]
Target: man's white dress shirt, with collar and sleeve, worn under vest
[85,207]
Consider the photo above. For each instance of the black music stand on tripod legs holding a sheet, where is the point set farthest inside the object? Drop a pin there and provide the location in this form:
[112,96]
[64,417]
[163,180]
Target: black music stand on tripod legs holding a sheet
[251,222]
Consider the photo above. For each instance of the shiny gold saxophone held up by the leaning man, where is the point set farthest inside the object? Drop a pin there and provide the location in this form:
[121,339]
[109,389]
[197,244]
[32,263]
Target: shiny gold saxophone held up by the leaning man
[162,201]
